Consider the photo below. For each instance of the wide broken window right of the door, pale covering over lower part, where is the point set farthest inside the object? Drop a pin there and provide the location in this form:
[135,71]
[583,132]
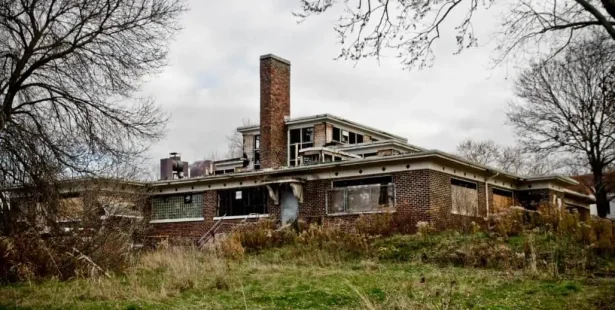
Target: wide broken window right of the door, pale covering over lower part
[361,195]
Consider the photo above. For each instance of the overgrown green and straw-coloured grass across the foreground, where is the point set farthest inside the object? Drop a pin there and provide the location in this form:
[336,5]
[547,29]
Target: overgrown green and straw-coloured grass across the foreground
[313,276]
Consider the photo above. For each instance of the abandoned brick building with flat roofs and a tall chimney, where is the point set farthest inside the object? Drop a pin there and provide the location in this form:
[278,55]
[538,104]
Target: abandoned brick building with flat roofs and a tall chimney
[328,168]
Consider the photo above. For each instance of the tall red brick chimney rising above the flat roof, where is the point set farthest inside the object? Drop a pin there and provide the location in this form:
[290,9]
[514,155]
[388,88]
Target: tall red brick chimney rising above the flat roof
[275,106]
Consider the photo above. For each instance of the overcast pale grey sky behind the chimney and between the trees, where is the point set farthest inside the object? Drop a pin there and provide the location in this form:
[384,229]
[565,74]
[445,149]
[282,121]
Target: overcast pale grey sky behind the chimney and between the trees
[211,85]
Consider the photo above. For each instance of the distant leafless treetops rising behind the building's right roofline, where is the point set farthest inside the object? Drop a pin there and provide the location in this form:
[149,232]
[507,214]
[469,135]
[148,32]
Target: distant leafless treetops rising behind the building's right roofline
[513,159]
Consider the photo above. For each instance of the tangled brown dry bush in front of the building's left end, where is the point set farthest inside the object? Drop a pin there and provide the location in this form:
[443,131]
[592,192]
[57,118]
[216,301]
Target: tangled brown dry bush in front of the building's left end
[91,234]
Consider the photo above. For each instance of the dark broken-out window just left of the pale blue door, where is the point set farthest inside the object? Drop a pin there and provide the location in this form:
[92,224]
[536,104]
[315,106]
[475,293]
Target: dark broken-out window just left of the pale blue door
[242,201]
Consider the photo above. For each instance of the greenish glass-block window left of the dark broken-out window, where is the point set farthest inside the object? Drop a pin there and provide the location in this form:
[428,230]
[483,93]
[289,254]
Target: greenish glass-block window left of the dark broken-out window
[177,207]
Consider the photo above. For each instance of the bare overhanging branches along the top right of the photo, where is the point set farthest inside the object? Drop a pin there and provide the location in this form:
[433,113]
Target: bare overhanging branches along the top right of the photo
[367,28]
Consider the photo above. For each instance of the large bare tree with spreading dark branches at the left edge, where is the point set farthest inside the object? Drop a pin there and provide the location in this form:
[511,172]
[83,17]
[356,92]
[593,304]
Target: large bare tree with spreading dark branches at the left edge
[70,69]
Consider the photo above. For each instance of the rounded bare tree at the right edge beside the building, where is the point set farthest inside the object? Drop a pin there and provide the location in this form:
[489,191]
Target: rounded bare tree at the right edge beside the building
[568,107]
